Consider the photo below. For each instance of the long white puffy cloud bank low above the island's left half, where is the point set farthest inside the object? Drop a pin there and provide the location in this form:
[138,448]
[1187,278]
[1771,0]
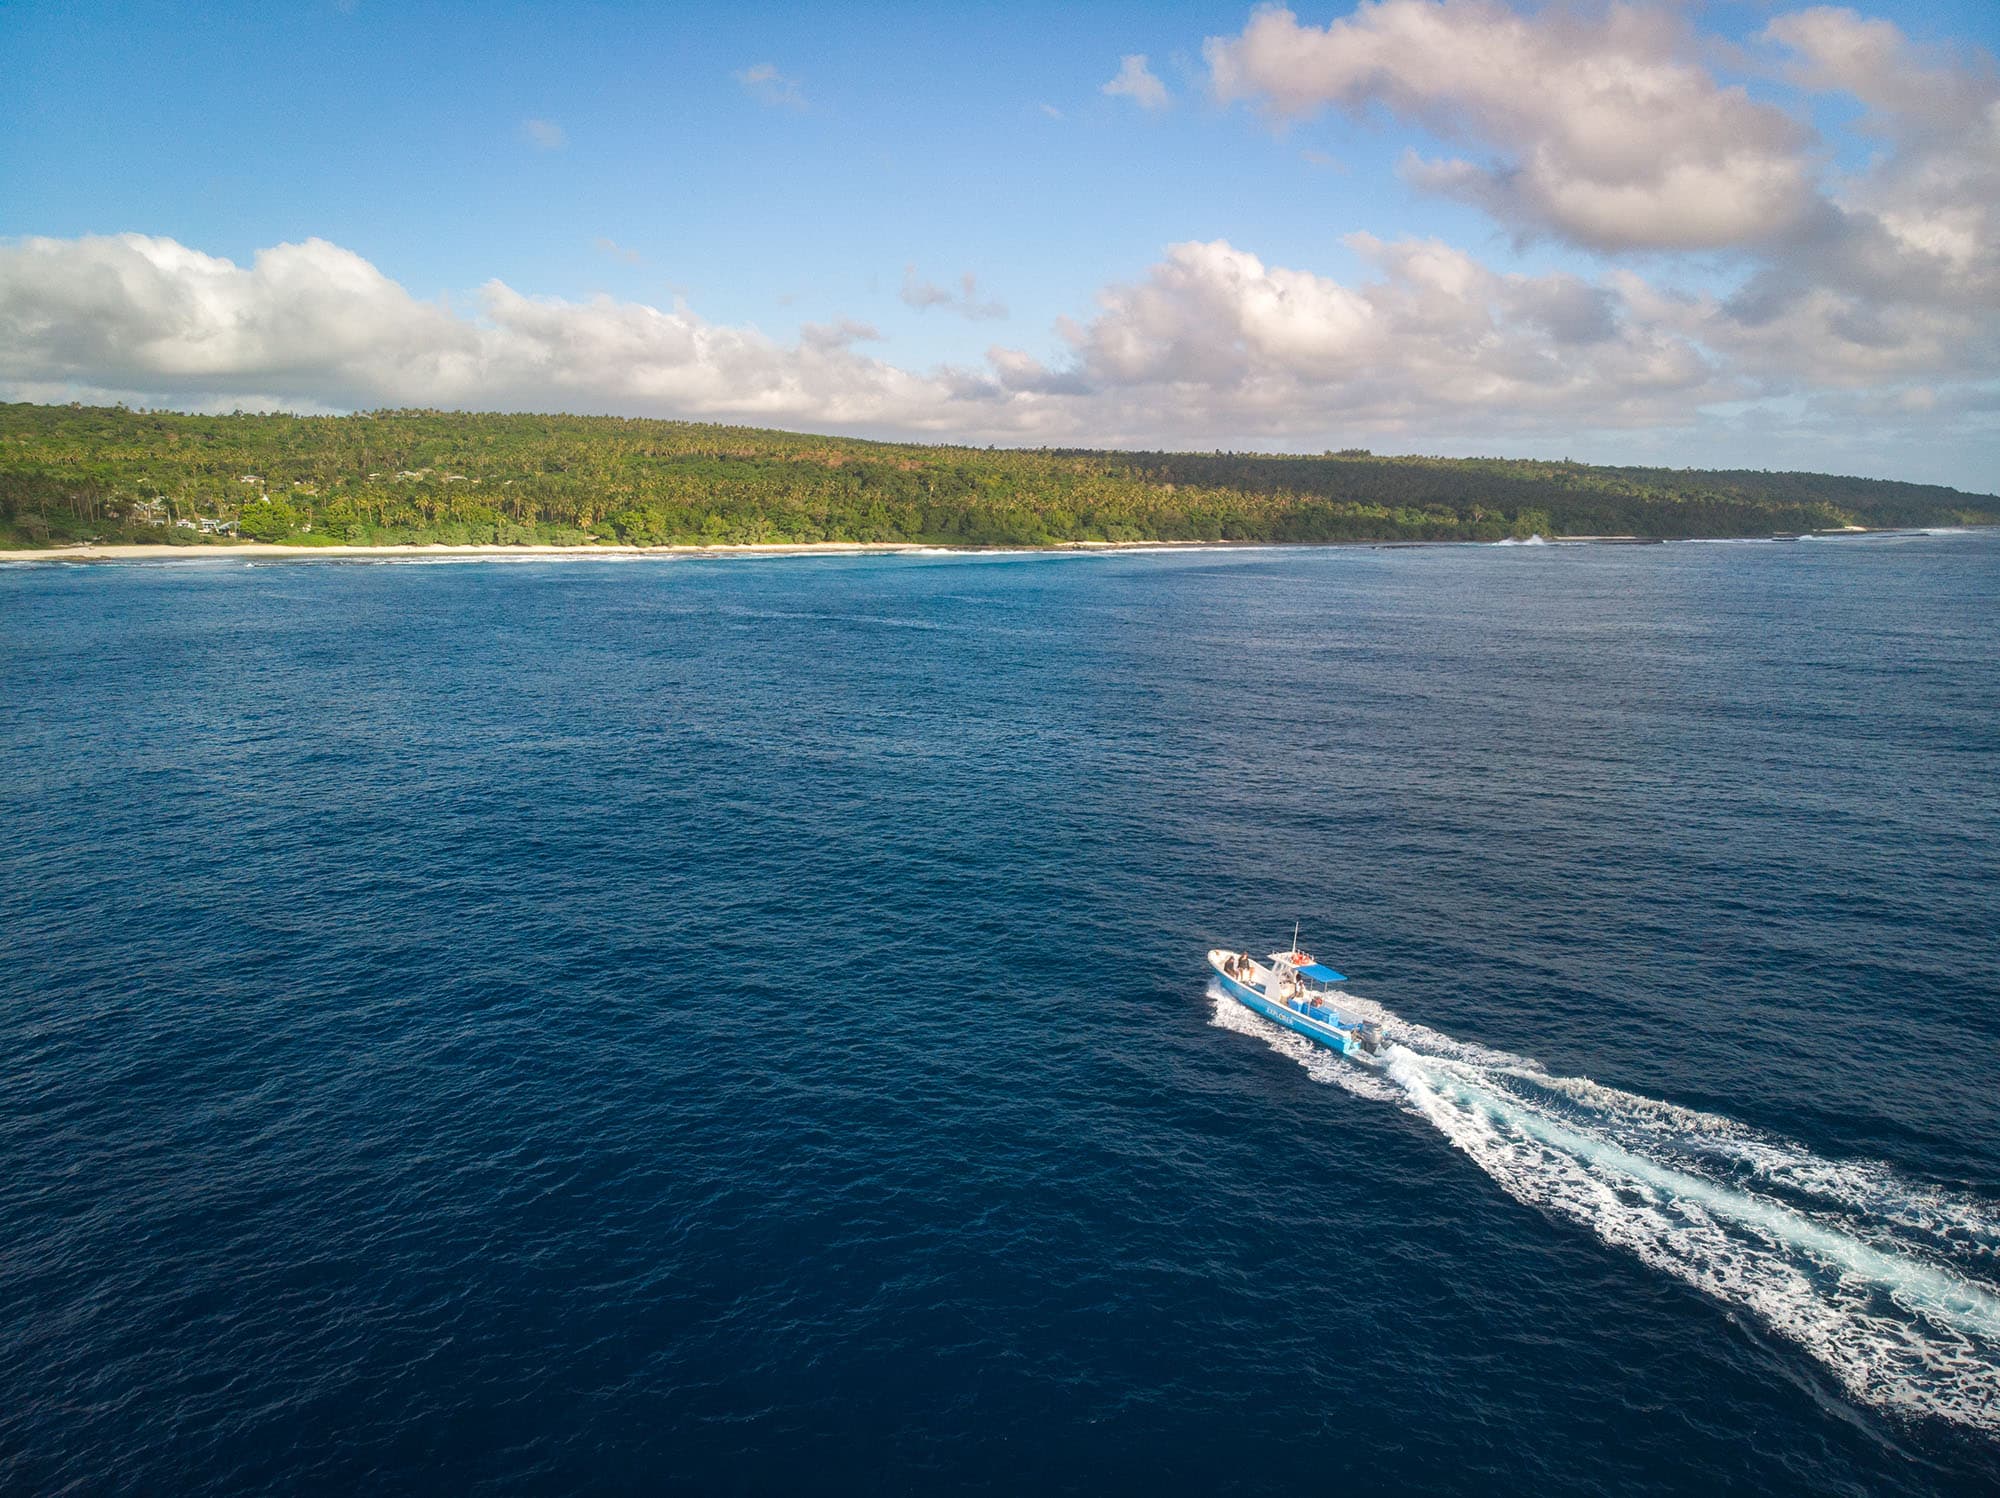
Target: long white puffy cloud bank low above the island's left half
[317,323]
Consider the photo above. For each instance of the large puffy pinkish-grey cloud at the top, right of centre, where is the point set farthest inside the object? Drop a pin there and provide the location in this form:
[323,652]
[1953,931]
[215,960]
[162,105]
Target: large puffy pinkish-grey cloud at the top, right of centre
[1603,125]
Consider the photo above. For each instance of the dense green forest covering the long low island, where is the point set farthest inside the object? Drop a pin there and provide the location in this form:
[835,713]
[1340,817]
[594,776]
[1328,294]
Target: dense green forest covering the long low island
[73,473]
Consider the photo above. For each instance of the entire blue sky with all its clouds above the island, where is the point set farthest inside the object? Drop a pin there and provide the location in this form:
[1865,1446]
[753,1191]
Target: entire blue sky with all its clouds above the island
[1661,233]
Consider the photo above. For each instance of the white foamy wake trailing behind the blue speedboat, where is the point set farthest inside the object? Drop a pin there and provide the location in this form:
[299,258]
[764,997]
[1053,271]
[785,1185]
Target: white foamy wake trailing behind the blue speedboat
[1891,1285]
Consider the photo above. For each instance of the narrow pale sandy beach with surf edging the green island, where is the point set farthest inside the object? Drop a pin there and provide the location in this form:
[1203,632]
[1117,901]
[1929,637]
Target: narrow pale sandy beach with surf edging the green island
[85,553]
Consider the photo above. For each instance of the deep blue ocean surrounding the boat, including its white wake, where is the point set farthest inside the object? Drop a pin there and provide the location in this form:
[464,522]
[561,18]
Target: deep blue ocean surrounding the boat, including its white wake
[743,1027]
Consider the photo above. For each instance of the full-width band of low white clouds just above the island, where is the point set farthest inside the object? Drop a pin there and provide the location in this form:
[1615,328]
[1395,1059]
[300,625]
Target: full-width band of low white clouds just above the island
[1211,347]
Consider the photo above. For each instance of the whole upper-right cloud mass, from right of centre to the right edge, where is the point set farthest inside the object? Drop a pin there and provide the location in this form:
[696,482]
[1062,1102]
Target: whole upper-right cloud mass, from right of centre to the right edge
[1607,129]
